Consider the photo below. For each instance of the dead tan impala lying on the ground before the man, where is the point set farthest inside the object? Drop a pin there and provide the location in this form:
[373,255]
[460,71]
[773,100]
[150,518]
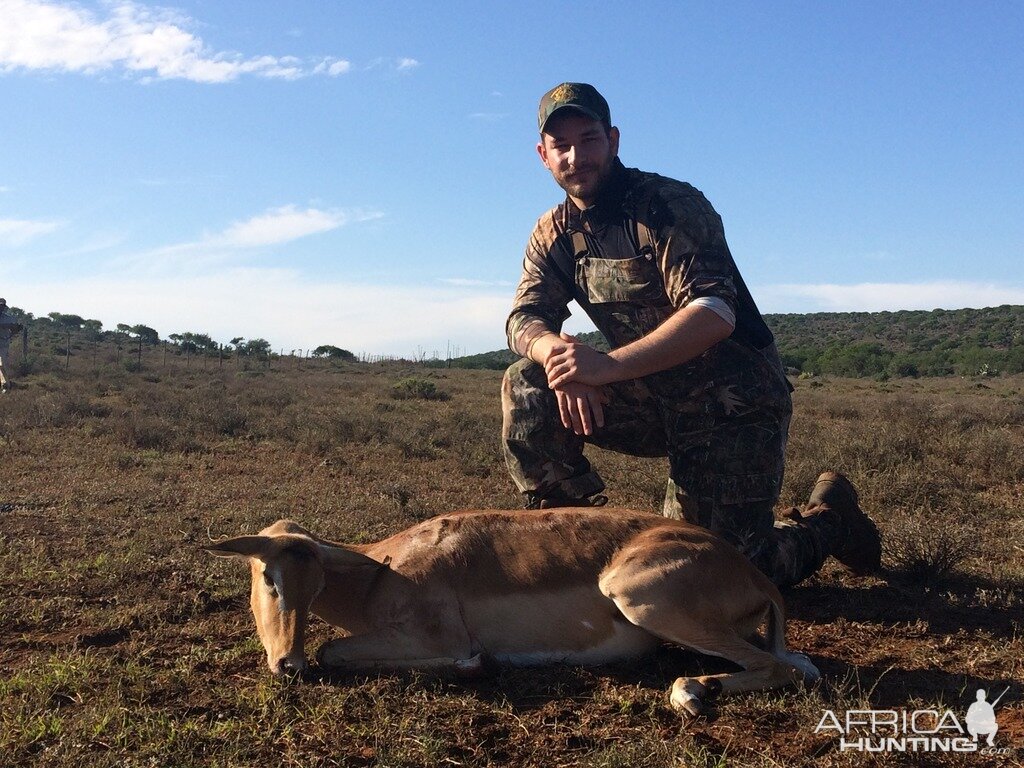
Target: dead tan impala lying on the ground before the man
[575,586]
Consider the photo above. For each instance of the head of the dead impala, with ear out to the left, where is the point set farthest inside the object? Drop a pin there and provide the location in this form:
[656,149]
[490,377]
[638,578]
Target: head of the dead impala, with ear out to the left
[287,577]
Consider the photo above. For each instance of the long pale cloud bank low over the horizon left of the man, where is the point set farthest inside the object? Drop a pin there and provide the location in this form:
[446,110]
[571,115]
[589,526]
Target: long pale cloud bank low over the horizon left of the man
[281,306]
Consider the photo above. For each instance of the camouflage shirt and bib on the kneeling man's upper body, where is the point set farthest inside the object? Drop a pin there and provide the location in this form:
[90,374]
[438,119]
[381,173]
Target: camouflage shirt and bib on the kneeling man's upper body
[649,247]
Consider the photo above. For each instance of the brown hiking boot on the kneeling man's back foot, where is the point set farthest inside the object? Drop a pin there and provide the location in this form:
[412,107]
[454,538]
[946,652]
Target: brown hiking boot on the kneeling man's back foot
[860,547]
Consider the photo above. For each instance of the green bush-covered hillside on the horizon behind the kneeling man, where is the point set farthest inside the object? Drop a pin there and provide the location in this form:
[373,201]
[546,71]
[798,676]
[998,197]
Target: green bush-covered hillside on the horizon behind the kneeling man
[910,344]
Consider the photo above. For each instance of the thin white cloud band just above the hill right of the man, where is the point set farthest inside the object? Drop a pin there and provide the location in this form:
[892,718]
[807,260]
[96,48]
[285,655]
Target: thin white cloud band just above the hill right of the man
[876,297]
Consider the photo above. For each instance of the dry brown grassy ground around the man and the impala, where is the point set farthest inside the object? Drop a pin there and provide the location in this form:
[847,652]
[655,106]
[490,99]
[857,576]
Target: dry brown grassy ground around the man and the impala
[126,646]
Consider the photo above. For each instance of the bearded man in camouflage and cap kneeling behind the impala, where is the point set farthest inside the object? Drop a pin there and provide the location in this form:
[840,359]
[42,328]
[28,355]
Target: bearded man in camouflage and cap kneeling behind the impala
[694,373]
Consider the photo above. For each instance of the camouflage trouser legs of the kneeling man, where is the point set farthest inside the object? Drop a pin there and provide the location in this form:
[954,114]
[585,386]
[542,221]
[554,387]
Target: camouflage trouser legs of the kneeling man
[726,470]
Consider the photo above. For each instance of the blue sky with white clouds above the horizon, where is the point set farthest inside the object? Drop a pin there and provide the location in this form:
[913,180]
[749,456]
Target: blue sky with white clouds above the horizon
[364,175]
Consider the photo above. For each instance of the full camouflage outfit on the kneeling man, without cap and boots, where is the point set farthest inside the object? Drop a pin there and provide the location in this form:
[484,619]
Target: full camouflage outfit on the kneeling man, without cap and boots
[649,247]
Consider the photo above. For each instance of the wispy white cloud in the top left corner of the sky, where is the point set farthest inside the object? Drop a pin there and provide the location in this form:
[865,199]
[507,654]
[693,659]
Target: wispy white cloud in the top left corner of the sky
[150,44]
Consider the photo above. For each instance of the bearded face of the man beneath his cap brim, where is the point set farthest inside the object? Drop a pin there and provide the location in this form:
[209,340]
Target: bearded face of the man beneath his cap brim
[579,153]
